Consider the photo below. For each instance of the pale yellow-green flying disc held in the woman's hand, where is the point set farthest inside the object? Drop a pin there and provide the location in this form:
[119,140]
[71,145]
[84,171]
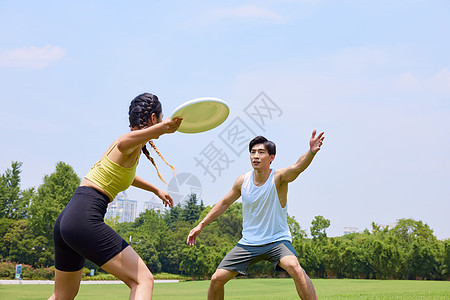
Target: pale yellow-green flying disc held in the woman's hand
[201,114]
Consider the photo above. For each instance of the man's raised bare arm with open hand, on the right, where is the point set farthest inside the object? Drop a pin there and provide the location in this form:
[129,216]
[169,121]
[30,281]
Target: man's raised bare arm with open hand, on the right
[289,174]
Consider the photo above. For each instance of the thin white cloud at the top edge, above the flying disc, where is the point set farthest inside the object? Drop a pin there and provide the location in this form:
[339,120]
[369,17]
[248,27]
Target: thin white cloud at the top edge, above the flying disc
[245,12]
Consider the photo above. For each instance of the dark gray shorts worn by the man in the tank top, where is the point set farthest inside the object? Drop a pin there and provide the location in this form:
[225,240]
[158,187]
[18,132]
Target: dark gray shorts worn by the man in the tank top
[242,256]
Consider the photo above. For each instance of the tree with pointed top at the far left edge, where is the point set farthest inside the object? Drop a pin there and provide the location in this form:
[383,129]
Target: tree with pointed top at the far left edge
[13,201]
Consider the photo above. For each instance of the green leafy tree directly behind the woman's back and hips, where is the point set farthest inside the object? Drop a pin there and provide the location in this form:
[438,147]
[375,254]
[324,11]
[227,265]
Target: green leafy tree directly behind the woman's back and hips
[52,196]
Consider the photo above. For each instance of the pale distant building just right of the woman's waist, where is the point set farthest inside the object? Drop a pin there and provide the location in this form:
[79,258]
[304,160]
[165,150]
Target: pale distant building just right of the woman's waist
[123,208]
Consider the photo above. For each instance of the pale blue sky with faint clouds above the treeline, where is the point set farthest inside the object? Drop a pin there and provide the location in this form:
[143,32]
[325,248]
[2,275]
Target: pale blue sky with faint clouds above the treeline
[374,75]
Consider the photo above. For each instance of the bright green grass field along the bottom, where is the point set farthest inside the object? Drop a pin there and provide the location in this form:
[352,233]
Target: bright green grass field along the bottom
[253,289]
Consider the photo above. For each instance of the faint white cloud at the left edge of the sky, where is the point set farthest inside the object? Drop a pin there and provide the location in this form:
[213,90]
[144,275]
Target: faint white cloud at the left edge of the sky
[31,57]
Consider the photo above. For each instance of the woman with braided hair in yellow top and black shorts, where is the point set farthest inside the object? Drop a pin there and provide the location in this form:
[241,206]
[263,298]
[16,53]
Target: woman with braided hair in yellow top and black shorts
[80,231]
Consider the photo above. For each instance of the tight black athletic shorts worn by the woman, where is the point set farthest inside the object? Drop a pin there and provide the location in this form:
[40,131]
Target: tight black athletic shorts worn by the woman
[80,232]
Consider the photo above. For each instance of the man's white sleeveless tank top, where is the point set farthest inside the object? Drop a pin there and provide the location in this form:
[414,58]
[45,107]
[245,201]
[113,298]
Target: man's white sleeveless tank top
[264,220]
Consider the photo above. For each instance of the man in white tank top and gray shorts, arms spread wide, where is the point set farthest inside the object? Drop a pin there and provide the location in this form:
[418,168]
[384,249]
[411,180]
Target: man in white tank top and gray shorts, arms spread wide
[265,233]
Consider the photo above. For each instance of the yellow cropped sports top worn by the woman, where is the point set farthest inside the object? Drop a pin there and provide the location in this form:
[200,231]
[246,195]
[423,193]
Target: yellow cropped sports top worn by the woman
[111,177]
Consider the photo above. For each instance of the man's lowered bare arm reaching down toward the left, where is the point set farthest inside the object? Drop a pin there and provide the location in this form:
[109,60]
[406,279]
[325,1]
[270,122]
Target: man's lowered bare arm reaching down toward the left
[217,210]
